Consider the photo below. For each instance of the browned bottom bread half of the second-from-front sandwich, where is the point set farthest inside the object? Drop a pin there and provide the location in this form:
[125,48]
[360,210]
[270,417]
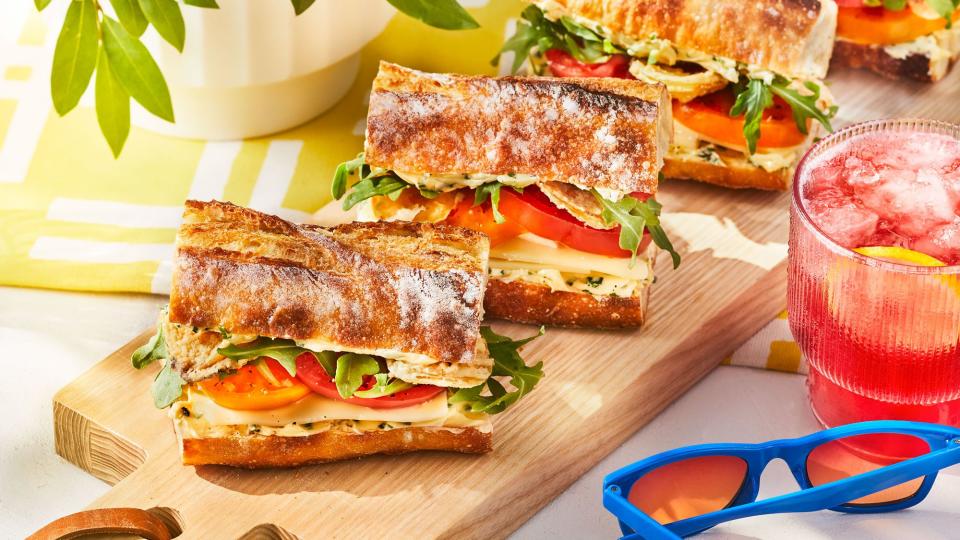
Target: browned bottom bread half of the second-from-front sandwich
[532,303]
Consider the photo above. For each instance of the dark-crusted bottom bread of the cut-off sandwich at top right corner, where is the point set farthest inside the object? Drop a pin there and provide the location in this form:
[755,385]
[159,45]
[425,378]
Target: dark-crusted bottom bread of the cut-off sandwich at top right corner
[927,59]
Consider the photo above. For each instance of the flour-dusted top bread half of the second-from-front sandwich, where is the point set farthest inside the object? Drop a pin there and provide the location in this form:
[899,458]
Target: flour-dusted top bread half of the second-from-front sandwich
[607,133]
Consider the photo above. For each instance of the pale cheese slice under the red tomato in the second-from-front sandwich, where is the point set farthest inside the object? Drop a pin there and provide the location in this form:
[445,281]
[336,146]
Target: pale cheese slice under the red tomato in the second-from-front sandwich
[536,253]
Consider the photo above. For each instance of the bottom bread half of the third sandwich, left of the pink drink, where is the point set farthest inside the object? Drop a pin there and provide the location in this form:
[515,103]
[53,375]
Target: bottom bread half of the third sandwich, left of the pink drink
[735,171]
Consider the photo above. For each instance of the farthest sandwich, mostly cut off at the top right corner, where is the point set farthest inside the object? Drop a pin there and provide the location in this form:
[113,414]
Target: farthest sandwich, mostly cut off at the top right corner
[913,39]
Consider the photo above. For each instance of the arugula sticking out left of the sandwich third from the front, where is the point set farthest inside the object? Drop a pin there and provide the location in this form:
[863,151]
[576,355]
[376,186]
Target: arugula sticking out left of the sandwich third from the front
[536,33]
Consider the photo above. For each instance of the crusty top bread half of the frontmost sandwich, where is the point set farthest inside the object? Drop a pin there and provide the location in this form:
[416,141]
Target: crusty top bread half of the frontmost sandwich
[410,288]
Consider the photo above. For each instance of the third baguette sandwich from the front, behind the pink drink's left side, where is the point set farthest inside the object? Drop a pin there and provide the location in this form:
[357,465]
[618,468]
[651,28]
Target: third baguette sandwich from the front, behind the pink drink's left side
[745,76]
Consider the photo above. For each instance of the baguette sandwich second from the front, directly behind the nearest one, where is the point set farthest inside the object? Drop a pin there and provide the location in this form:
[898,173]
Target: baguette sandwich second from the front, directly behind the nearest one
[559,174]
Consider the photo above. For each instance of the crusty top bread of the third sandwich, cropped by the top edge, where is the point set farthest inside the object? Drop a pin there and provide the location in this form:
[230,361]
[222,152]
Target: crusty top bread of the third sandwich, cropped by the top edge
[790,37]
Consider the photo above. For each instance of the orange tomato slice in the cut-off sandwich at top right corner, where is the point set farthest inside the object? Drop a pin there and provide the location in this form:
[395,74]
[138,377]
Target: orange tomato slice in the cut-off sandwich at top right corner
[876,25]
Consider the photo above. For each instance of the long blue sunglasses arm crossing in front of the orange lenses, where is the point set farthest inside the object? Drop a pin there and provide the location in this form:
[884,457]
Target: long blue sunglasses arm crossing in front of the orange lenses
[829,495]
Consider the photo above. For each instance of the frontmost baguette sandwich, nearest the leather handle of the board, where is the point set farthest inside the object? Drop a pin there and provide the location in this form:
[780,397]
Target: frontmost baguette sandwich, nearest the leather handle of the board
[289,344]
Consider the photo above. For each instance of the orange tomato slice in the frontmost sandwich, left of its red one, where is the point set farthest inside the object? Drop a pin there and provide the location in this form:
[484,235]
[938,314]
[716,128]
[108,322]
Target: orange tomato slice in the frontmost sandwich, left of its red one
[249,389]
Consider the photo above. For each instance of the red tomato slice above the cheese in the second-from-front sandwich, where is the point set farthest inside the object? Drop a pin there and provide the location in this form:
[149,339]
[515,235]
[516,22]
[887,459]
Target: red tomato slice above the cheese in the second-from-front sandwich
[537,214]
